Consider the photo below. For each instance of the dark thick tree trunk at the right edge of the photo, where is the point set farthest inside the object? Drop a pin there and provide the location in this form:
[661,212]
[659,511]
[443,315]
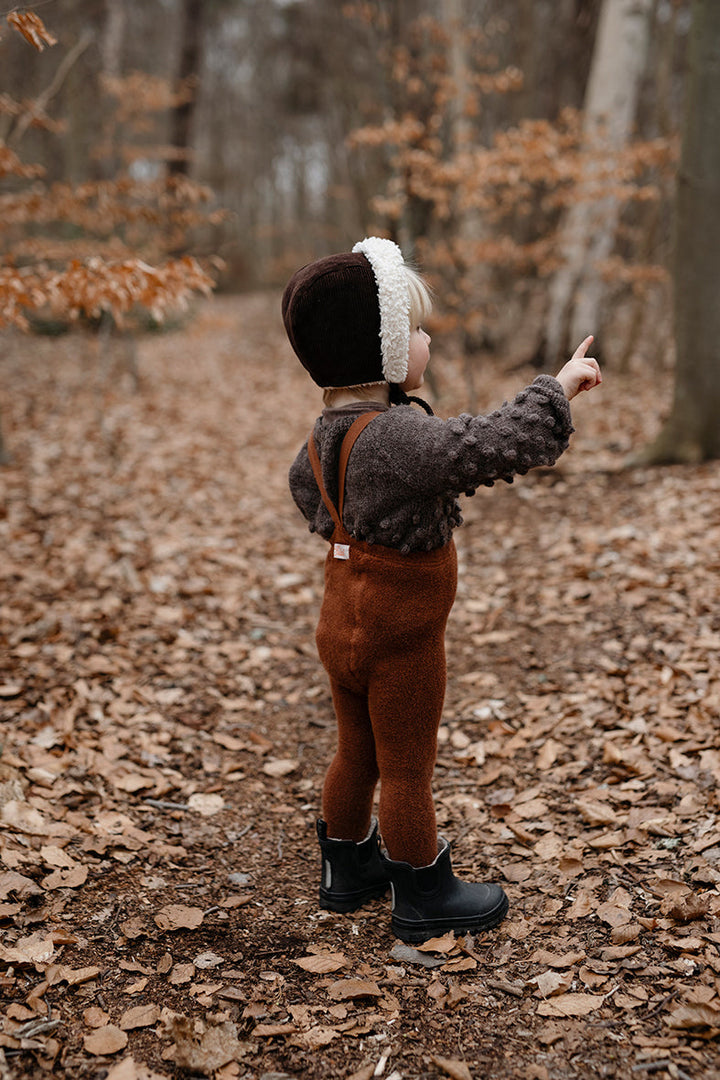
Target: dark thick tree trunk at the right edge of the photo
[692,433]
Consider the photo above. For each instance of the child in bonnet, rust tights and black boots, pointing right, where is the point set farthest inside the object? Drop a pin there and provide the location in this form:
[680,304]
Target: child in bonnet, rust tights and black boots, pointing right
[389,509]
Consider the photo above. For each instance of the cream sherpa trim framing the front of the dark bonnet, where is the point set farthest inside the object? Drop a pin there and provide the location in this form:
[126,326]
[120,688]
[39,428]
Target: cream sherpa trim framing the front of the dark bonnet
[388,265]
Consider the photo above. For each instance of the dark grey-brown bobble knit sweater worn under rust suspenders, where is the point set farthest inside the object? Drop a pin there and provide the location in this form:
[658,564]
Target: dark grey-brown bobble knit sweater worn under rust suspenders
[407,469]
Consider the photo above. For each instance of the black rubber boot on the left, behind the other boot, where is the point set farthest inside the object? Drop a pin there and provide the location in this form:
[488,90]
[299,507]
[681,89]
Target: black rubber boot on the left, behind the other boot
[352,873]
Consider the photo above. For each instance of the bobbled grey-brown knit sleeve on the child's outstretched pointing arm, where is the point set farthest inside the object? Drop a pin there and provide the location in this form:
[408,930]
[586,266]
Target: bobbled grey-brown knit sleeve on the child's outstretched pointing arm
[433,457]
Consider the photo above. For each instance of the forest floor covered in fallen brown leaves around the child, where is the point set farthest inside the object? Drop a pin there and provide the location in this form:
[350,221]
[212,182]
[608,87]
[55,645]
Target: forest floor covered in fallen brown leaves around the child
[167,726]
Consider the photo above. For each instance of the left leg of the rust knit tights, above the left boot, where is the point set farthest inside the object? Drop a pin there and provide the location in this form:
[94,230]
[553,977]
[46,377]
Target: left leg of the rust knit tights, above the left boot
[354,774]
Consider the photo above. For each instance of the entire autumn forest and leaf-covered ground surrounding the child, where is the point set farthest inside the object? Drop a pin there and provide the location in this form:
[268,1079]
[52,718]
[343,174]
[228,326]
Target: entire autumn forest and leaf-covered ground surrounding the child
[554,168]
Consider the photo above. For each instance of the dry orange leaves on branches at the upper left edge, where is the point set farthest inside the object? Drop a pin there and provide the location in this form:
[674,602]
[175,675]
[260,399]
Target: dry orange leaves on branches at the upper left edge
[128,228]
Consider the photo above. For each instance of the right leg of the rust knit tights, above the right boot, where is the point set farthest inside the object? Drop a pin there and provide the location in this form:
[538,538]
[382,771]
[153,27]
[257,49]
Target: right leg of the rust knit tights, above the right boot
[406,705]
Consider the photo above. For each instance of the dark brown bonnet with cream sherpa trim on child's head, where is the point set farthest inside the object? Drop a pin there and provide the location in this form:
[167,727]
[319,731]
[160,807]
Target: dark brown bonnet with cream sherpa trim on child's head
[348,316]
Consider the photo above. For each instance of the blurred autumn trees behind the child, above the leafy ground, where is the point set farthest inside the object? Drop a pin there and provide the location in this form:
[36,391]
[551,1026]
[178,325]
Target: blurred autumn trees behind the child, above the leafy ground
[525,153]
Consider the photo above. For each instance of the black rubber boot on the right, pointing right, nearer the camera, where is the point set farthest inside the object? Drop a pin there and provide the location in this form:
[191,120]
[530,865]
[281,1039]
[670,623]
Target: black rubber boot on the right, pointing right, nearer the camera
[428,901]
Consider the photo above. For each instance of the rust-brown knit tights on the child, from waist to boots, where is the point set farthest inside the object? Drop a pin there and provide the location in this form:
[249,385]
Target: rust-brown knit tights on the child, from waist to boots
[382,640]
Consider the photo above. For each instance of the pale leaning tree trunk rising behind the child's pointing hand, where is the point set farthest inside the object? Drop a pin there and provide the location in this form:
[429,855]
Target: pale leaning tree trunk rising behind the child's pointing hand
[589,231]
